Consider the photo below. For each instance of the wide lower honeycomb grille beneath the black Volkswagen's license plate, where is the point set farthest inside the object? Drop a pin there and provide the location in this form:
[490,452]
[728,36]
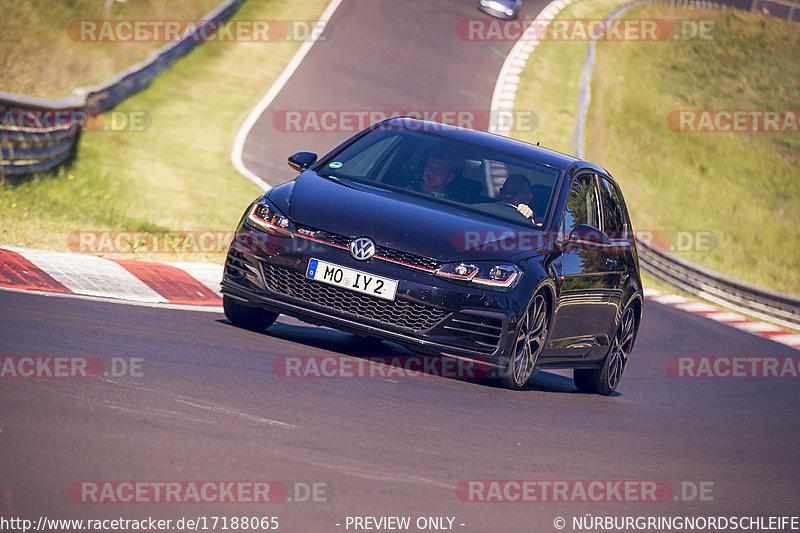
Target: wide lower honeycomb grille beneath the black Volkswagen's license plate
[395,313]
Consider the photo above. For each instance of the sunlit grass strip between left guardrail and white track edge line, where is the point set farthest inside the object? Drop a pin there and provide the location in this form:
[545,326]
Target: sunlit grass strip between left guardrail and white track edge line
[177,175]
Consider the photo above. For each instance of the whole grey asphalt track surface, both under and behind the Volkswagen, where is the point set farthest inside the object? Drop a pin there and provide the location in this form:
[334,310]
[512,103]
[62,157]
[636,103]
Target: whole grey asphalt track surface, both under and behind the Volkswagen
[209,405]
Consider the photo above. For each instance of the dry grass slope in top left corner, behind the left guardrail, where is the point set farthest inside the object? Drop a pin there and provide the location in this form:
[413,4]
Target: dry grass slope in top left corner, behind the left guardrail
[38,57]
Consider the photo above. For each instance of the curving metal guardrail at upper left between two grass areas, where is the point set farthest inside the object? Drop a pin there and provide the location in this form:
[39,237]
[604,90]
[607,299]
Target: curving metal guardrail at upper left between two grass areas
[39,145]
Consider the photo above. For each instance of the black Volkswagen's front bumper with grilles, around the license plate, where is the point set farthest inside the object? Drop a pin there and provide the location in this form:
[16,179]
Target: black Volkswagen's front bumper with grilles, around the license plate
[429,314]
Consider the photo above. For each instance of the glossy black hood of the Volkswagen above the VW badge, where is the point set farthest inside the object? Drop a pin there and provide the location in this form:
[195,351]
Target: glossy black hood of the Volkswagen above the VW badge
[402,222]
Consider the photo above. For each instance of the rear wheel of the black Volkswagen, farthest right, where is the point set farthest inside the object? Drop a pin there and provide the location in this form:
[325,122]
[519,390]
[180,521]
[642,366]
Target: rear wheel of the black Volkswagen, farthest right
[605,380]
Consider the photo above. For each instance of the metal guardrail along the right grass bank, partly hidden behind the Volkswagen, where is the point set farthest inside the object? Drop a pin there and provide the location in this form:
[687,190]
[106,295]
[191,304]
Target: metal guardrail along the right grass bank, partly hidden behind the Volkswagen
[780,309]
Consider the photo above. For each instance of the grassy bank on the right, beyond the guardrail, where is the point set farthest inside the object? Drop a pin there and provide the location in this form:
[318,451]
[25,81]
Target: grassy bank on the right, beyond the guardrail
[744,187]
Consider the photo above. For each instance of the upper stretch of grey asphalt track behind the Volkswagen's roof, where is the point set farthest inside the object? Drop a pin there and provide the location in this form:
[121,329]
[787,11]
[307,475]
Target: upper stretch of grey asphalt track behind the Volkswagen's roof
[379,56]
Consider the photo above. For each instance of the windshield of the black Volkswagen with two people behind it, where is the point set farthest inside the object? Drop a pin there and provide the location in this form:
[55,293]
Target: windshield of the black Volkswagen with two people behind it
[473,177]
